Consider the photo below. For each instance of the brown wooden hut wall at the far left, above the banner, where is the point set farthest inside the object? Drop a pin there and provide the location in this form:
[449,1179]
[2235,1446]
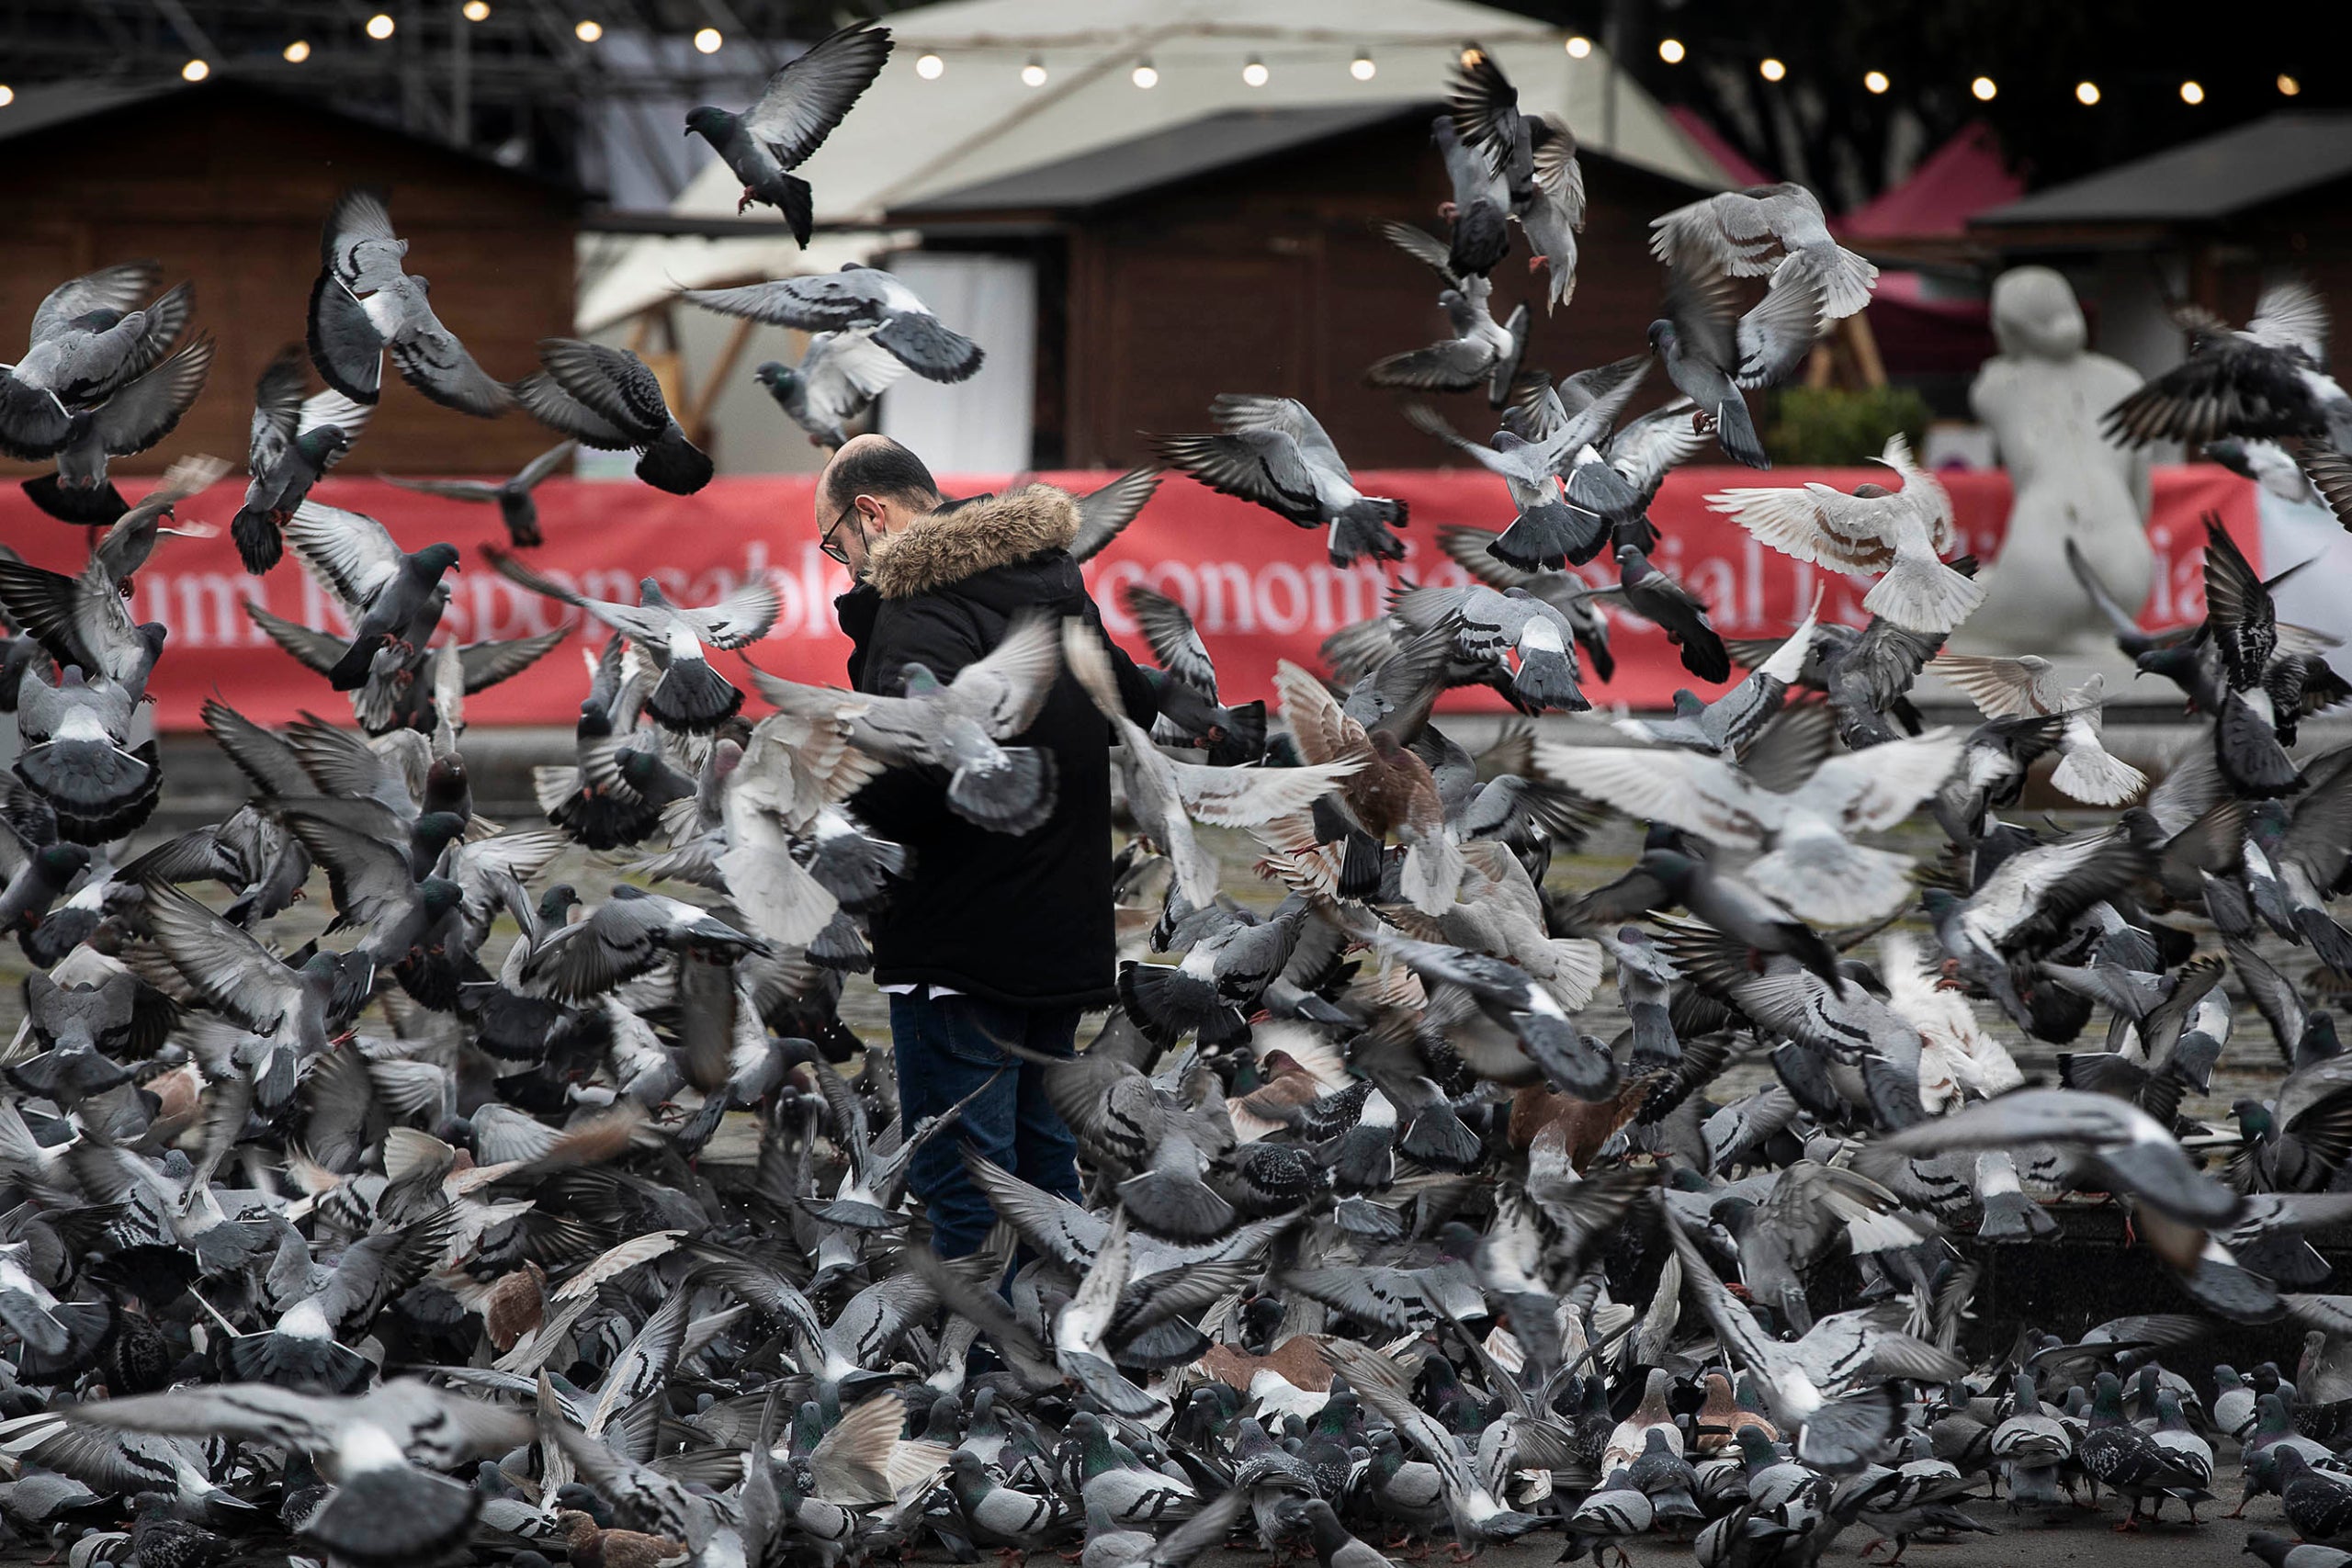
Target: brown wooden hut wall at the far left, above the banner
[236,203]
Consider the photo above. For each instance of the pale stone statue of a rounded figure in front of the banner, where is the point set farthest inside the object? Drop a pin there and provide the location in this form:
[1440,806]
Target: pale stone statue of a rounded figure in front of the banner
[2043,396]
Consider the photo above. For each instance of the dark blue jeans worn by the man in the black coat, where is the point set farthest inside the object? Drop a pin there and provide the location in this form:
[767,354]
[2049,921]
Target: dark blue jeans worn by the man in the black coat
[947,1047]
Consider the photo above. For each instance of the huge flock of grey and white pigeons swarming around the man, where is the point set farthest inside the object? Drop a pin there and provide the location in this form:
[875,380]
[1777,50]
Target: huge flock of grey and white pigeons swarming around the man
[403,1247]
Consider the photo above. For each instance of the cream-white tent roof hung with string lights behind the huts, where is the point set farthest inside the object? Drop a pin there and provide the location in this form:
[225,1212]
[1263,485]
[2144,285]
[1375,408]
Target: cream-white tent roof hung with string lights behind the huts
[914,138]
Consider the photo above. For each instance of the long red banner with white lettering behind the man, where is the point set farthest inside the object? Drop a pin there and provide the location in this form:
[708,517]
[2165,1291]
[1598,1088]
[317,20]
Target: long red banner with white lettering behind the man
[1257,587]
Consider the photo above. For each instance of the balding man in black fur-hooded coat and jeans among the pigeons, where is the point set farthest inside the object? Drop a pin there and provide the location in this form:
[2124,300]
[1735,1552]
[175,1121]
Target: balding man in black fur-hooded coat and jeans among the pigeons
[994,939]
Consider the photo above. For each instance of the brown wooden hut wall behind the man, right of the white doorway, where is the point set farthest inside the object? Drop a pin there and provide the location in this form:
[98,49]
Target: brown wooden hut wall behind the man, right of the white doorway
[1271,279]
